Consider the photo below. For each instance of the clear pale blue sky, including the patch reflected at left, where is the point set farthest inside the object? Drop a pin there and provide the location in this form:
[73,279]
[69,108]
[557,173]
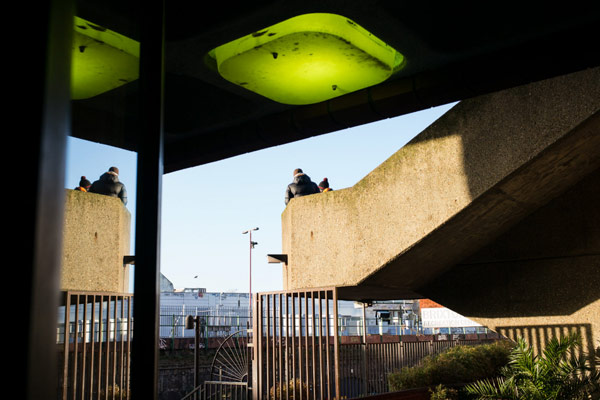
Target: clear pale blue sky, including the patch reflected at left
[206,208]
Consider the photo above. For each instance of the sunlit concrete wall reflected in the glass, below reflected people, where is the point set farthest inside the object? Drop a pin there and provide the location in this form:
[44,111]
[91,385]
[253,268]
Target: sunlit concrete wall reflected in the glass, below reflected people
[96,237]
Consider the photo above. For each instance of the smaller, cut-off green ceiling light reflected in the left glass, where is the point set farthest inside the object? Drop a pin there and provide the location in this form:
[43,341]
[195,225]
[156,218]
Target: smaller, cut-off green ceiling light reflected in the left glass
[101,60]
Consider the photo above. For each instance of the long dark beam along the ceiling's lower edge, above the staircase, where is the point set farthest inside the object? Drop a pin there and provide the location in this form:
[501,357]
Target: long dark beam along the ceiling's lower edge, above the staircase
[391,99]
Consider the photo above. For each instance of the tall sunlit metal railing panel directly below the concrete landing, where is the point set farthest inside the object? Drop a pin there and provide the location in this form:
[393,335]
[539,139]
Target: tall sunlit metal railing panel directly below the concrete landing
[295,345]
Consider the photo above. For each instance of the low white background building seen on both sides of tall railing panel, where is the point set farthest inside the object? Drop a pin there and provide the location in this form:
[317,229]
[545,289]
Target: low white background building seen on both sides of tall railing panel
[228,312]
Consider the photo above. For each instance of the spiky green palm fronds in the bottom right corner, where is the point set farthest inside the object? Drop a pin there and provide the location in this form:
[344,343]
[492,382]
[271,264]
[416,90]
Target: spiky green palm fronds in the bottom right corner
[559,373]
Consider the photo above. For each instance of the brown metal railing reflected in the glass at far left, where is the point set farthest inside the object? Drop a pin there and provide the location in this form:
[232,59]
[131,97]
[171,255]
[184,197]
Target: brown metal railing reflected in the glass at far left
[94,339]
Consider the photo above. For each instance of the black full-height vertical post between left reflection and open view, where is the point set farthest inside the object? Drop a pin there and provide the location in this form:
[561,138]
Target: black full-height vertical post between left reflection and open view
[144,368]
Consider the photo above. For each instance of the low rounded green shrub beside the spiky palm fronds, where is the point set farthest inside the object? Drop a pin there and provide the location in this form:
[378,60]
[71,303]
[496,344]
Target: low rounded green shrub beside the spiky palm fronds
[460,364]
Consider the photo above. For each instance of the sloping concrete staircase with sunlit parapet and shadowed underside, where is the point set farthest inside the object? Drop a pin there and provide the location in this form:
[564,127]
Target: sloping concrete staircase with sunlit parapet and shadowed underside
[463,182]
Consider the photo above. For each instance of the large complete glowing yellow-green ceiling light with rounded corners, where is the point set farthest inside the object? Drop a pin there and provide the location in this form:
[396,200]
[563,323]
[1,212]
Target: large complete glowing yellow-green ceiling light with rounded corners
[307,59]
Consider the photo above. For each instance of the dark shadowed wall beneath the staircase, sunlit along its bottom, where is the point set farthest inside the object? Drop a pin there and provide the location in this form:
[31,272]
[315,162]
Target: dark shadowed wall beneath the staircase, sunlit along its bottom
[540,278]
